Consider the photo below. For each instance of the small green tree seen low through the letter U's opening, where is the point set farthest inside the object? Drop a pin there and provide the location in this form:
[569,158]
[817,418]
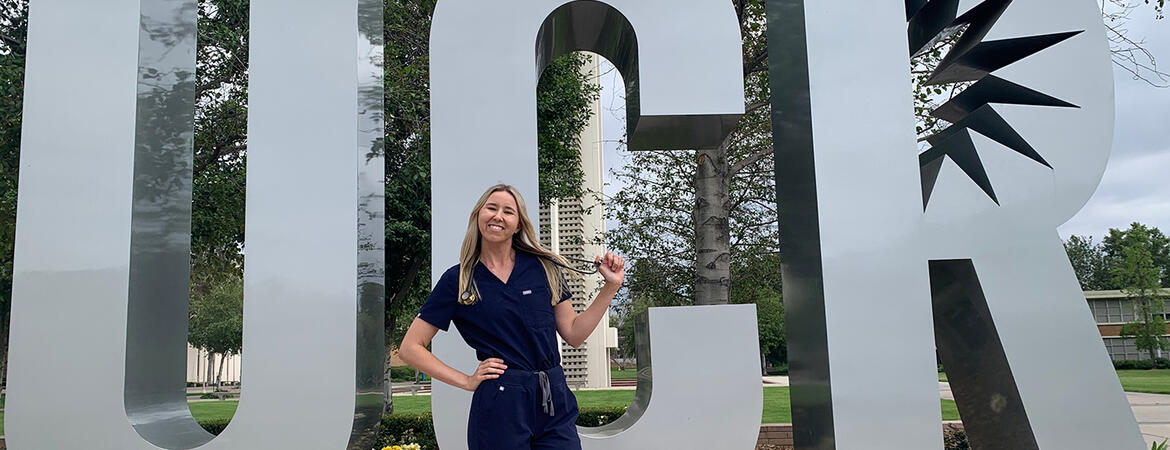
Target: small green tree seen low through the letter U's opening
[217,322]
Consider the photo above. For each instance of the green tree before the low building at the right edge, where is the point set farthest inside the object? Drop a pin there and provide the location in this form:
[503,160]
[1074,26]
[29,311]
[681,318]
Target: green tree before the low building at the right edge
[1139,279]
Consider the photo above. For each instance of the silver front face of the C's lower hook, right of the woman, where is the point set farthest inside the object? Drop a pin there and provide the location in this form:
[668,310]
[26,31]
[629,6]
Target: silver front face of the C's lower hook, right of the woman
[728,419]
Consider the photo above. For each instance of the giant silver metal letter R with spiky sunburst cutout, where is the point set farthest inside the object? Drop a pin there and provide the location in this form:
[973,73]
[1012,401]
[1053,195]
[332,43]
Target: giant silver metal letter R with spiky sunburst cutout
[845,285]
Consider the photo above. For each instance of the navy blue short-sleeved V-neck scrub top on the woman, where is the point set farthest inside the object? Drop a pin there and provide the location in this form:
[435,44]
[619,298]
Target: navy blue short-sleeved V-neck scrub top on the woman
[512,321]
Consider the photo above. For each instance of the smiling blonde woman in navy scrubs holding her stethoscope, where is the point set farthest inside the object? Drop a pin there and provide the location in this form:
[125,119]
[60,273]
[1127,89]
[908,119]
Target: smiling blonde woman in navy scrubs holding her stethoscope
[507,297]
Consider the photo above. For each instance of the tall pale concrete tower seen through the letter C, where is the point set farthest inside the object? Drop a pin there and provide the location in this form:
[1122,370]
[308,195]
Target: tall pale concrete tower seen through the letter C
[570,227]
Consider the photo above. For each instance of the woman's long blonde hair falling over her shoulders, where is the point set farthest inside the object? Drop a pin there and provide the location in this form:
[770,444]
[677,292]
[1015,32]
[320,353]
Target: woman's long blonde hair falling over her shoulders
[525,240]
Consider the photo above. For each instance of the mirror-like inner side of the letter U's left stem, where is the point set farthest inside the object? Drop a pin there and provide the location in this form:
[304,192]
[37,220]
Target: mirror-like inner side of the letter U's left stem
[156,398]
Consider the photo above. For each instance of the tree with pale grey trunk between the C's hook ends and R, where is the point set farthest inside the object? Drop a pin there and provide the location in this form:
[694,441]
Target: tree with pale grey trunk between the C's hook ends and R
[694,211]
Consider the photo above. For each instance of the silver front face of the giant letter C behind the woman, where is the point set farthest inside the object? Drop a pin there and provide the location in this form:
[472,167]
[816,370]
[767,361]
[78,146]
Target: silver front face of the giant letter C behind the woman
[484,77]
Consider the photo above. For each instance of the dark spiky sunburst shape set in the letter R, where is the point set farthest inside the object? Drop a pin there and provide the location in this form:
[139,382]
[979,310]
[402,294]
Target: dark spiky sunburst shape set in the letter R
[972,61]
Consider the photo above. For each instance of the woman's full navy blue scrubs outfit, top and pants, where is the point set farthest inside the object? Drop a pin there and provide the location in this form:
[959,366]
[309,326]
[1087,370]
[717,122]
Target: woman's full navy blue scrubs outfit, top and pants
[529,406]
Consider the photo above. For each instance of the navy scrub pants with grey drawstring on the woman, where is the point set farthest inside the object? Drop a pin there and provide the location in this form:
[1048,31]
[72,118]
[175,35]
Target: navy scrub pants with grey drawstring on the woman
[524,410]
